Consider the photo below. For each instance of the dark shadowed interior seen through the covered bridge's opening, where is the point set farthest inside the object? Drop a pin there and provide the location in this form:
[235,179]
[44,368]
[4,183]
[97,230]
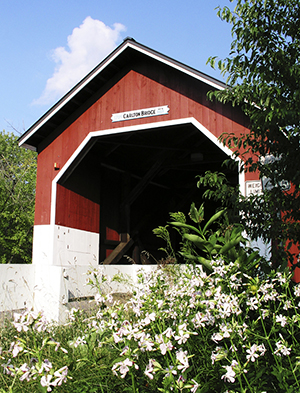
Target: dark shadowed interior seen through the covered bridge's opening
[138,178]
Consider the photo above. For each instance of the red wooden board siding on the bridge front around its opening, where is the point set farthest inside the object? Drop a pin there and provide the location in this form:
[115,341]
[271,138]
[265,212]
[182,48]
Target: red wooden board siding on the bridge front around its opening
[143,88]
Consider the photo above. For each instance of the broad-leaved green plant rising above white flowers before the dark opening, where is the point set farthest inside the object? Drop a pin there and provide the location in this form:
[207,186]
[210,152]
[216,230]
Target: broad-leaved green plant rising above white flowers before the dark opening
[218,238]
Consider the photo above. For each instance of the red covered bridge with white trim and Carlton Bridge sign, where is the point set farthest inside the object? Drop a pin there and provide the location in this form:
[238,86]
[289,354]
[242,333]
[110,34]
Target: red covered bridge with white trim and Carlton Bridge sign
[120,151]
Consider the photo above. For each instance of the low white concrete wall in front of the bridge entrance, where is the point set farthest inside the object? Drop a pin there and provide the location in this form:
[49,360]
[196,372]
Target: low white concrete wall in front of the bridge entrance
[55,289]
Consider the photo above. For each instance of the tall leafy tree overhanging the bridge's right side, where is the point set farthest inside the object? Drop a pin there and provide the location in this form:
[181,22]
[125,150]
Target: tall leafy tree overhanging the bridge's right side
[263,77]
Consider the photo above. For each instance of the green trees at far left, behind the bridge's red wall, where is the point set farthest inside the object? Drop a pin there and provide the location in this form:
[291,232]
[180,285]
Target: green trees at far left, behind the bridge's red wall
[17,194]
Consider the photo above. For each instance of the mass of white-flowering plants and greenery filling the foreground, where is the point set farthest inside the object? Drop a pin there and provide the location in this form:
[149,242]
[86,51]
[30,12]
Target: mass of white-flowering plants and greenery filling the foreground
[182,330]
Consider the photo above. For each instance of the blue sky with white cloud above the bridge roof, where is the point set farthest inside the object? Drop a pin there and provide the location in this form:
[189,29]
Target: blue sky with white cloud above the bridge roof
[47,46]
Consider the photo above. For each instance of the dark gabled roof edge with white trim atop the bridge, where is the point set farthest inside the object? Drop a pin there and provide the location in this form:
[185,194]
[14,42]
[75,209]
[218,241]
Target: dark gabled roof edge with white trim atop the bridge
[97,78]
